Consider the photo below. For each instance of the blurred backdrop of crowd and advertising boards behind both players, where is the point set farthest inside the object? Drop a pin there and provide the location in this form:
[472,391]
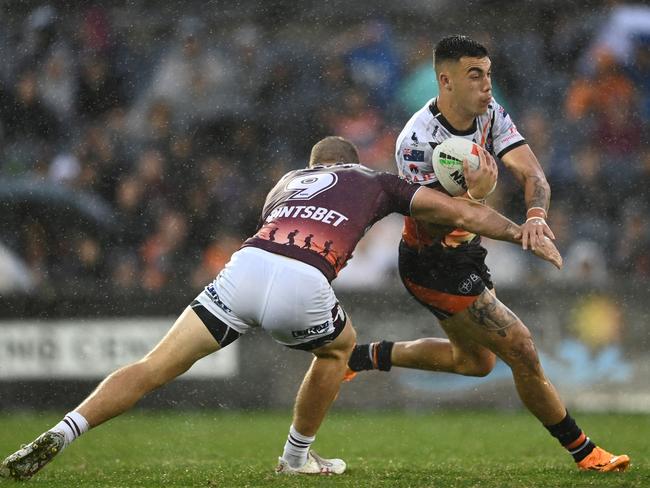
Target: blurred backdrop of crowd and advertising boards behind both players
[138,141]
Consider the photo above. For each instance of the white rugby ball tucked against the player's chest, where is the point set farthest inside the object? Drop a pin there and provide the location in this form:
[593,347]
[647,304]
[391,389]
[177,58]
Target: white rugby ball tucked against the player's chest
[448,163]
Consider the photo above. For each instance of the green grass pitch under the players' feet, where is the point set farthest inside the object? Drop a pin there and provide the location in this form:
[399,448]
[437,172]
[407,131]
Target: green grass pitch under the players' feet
[440,449]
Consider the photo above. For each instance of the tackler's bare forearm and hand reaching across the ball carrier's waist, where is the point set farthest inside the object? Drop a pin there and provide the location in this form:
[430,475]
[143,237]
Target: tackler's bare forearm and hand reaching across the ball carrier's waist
[435,207]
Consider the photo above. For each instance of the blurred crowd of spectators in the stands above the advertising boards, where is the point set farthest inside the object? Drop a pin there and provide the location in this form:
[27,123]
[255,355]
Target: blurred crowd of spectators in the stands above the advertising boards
[166,136]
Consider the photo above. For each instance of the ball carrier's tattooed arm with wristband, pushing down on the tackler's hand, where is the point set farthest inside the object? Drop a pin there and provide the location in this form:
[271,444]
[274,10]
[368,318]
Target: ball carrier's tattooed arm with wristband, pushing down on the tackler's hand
[537,193]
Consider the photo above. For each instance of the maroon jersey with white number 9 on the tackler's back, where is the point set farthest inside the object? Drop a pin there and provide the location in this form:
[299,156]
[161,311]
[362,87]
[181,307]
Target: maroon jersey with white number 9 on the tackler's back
[318,215]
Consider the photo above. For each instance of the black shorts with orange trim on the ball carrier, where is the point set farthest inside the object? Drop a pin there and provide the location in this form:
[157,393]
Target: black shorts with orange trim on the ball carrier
[445,280]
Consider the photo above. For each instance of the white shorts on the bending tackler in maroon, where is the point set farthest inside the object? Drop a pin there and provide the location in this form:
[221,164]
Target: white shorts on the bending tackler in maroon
[290,299]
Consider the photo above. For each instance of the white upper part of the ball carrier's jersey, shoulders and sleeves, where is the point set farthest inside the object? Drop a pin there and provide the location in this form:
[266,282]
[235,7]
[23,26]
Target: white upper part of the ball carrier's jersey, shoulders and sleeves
[413,150]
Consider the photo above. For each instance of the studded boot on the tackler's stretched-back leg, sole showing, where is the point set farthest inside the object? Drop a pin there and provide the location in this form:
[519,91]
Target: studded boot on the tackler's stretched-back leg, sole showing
[29,459]
